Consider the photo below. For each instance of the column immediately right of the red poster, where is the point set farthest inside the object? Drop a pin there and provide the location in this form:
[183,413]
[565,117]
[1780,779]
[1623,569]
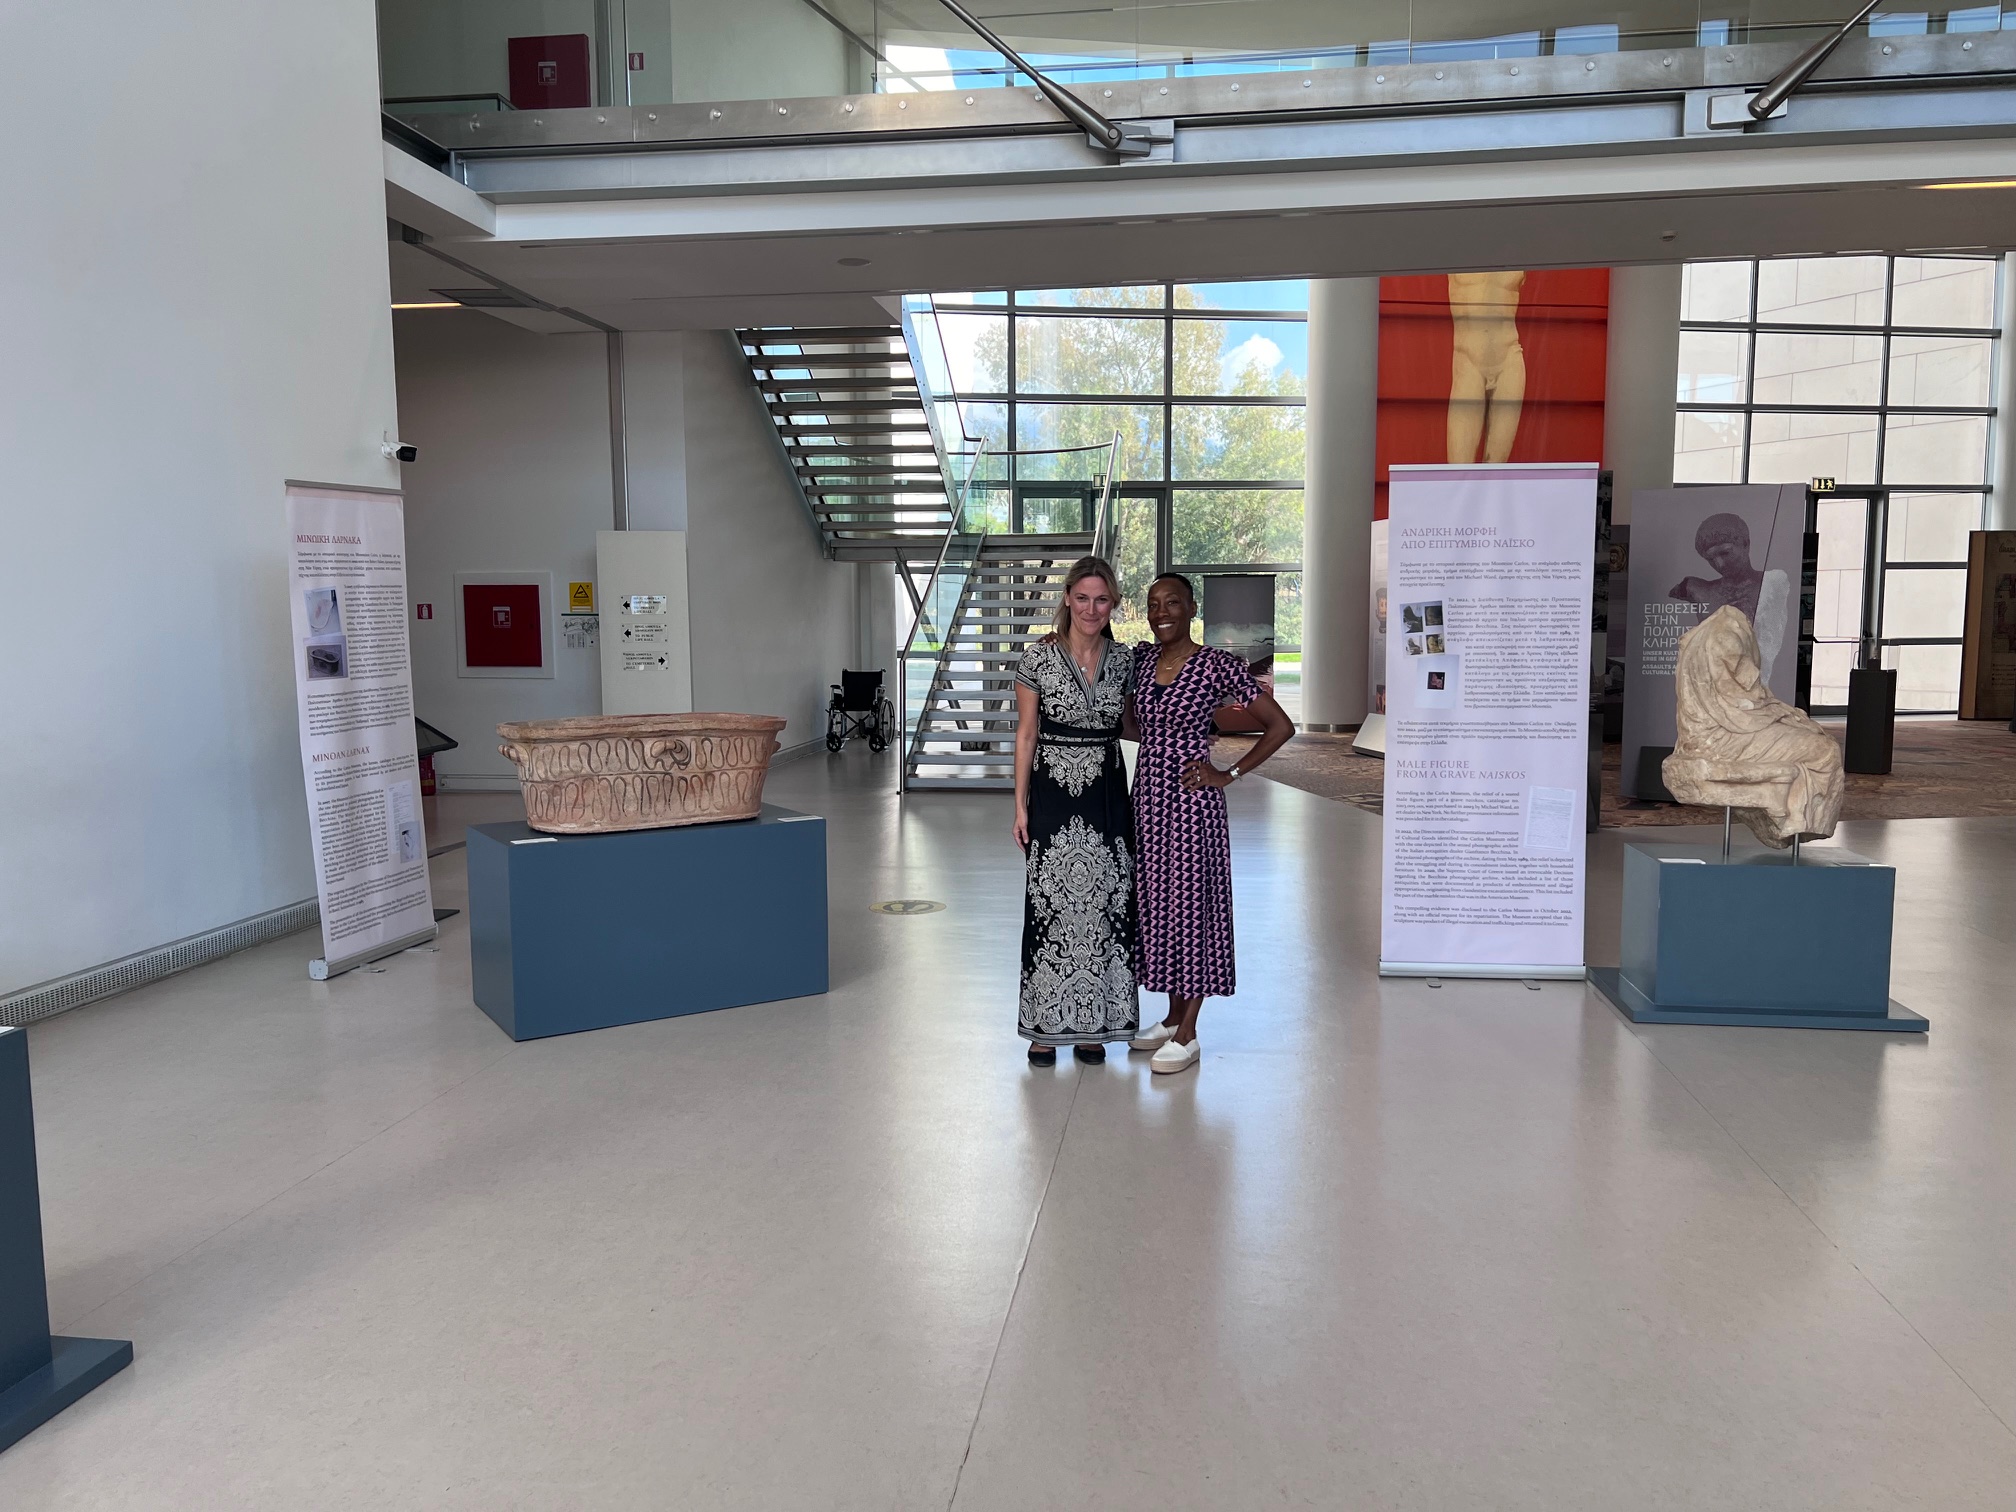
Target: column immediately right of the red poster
[1638,392]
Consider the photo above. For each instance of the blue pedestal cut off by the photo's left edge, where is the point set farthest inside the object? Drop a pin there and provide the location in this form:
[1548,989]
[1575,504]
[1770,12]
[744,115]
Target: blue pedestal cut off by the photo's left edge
[39,1374]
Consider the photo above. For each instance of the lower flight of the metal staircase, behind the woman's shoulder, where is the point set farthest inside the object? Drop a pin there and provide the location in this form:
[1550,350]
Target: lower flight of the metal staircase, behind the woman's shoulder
[967,733]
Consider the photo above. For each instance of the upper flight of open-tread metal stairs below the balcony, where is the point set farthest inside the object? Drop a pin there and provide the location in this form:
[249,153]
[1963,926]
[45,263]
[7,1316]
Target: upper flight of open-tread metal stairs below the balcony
[854,422]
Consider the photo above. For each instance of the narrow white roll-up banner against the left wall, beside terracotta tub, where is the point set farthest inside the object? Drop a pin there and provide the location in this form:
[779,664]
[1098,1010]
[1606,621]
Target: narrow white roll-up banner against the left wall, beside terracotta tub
[354,692]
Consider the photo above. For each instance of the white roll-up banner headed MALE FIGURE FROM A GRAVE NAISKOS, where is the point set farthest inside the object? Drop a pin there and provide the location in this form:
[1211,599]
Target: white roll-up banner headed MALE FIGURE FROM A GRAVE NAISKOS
[1487,781]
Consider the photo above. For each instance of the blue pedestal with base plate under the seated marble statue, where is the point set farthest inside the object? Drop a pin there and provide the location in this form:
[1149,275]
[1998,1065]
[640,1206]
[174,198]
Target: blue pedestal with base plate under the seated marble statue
[1755,940]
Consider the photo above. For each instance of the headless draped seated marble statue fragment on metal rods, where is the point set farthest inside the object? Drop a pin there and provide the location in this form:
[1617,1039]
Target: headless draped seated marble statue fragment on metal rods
[1741,747]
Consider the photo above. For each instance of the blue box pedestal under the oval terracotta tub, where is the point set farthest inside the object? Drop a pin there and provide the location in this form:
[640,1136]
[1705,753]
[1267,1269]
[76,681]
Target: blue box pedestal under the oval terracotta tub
[574,932]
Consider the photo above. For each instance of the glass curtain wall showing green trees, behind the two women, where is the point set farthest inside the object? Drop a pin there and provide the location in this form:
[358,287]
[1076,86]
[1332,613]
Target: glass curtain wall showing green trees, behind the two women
[1207,388]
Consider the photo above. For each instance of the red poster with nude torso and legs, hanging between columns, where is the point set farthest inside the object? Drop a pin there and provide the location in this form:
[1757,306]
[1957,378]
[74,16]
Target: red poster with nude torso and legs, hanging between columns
[1491,368]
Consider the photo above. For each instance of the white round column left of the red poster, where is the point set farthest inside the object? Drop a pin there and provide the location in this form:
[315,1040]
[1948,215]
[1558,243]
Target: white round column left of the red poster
[1338,503]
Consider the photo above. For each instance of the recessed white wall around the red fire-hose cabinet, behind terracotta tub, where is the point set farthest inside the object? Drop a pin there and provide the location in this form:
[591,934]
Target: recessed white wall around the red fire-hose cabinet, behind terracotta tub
[513,477]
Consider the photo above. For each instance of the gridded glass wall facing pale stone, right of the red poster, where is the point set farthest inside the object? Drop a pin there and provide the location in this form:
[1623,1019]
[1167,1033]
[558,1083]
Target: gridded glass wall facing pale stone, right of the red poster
[1866,370]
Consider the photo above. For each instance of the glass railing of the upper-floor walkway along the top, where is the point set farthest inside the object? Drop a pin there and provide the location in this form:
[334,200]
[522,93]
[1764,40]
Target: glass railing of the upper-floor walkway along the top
[477,55]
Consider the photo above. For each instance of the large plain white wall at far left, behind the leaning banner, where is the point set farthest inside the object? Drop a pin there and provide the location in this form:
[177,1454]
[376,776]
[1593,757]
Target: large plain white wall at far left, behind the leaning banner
[199,311]
